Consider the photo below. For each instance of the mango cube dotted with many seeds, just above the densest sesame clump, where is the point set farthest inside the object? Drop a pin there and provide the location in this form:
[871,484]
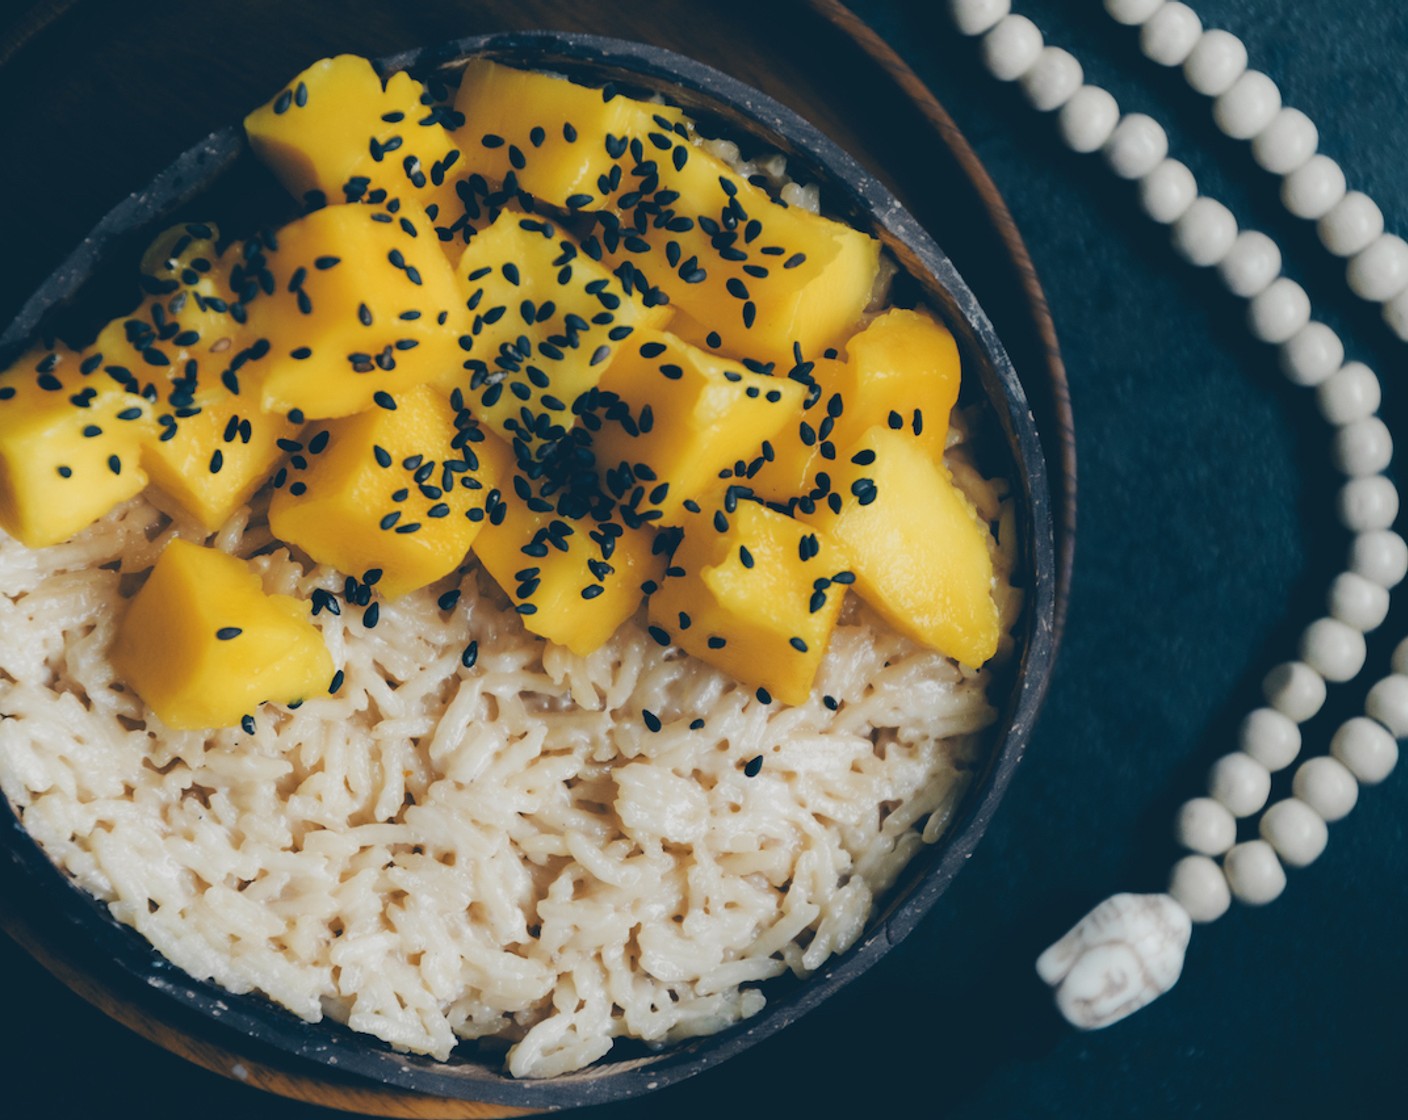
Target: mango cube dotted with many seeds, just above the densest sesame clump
[548,321]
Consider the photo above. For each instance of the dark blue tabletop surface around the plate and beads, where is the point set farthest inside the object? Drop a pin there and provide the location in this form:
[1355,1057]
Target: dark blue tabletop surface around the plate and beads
[1206,542]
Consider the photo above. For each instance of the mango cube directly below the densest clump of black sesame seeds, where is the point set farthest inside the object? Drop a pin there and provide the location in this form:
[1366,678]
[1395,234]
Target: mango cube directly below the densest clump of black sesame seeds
[574,581]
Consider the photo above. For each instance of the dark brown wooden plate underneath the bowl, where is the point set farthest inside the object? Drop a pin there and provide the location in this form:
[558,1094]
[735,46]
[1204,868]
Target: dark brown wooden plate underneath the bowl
[817,60]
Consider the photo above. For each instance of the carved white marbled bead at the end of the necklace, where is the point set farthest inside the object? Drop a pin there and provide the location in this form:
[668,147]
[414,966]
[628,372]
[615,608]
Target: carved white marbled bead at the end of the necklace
[1124,954]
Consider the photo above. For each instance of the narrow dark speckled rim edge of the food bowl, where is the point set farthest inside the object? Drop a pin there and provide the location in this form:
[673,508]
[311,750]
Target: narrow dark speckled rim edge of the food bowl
[333,1046]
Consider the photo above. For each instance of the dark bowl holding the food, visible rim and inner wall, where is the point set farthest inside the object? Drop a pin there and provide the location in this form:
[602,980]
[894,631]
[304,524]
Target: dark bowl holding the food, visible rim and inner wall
[220,177]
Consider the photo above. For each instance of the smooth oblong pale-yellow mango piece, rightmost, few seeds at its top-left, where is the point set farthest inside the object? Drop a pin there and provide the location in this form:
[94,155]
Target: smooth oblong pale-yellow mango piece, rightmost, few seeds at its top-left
[916,545]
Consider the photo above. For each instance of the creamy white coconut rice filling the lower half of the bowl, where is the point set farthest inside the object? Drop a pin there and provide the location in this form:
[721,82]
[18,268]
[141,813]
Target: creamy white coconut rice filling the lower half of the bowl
[478,836]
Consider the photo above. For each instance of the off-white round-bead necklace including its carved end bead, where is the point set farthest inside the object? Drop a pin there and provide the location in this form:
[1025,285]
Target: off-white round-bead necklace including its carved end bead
[1130,949]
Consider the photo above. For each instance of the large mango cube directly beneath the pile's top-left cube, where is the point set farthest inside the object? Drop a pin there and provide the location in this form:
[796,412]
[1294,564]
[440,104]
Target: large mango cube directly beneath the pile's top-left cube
[363,306]
